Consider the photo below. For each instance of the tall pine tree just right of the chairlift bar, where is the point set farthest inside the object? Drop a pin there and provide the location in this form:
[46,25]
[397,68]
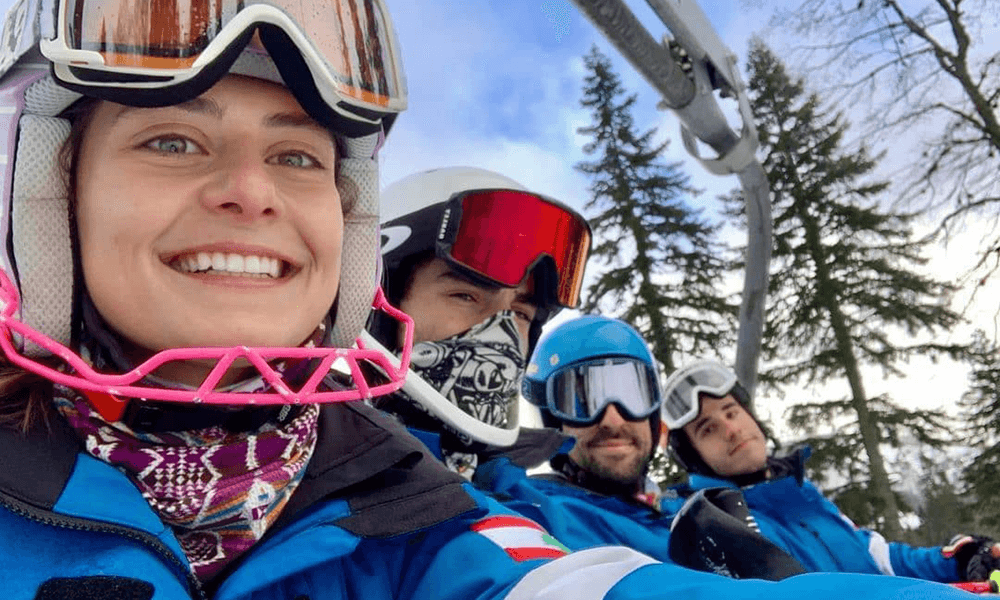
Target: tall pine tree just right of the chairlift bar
[845,285]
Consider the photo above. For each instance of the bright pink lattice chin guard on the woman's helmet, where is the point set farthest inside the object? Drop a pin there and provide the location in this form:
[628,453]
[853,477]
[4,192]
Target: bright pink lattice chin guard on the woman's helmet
[84,378]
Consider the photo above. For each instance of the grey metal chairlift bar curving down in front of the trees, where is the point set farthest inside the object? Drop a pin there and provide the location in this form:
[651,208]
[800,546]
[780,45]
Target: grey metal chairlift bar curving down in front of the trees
[692,99]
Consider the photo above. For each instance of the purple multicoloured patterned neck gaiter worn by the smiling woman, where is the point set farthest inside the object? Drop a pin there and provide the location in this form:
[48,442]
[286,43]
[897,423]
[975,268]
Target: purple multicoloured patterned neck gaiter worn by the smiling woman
[218,490]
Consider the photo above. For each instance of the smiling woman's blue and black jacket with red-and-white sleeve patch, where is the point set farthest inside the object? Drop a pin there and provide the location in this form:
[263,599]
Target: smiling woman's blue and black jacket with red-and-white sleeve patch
[374,518]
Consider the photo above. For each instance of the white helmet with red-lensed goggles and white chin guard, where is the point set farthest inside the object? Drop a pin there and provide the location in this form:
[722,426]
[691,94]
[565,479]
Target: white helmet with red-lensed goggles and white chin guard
[491,229]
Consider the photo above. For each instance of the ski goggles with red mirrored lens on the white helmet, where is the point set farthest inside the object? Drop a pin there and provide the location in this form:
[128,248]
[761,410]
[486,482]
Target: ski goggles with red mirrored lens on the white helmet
[501,235]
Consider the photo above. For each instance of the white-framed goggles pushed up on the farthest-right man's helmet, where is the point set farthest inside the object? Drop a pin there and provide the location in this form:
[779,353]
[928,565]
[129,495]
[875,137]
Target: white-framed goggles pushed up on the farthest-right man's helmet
[681,392]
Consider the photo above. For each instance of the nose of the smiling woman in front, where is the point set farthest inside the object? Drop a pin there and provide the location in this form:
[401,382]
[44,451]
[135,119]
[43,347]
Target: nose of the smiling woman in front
[242,188]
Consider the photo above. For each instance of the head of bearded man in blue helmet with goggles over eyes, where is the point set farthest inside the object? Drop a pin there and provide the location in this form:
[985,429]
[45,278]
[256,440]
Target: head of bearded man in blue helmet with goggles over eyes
[595,378]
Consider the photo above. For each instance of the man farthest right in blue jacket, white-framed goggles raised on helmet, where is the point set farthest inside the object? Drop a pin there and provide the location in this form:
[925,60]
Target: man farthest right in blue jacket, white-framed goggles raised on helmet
[719,441]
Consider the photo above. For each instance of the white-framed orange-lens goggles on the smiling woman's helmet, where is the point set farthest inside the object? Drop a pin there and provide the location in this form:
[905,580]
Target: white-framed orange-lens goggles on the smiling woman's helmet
[130,51]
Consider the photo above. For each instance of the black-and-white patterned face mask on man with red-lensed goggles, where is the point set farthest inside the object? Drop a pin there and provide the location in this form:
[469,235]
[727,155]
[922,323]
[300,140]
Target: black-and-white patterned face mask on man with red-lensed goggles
[478,370]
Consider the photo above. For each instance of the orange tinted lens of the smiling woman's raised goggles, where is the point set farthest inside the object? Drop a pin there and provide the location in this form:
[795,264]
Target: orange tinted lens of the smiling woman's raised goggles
[352,36]
